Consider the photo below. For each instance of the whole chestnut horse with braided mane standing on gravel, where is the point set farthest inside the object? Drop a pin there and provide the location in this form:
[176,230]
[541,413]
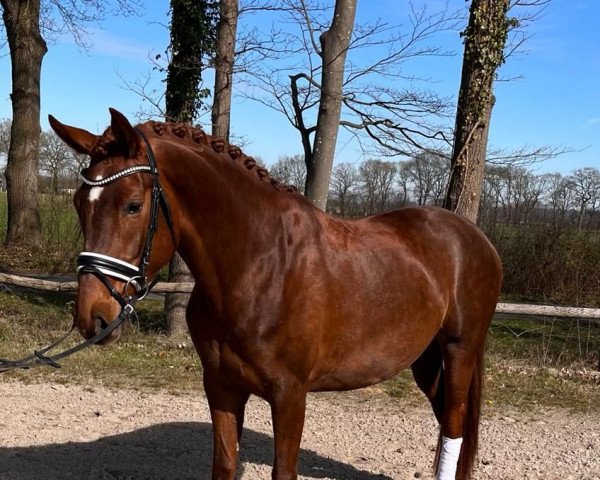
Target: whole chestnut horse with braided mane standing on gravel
[287,299]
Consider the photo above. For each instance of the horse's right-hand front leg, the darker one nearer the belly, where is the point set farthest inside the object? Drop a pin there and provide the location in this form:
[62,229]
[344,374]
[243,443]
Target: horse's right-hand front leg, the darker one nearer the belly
[288,408]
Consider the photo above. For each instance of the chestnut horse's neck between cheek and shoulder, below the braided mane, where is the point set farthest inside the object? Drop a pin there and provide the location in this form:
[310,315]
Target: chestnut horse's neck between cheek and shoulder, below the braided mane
[224,212]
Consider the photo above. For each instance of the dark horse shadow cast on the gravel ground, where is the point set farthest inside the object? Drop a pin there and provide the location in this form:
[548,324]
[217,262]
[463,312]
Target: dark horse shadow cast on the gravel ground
[174,451]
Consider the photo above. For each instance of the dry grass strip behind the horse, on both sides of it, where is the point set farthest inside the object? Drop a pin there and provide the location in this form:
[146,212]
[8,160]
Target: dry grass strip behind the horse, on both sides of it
[529,364]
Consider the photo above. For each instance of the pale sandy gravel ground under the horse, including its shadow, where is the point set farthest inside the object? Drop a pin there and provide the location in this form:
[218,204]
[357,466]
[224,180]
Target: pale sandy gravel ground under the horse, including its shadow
[51,431]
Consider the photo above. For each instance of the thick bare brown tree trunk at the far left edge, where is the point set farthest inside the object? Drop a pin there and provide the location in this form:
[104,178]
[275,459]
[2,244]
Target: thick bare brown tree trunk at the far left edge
[27,49]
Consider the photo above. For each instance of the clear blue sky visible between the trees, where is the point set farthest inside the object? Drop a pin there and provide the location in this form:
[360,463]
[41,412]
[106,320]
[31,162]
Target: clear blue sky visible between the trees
[556,100]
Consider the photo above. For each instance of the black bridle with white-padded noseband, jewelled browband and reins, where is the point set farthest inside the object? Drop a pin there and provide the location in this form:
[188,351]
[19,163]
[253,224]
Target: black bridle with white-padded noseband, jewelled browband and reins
[105,267]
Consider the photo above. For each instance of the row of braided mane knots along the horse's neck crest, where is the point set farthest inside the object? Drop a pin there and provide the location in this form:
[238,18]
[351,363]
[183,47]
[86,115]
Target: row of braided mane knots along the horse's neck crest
[195,135]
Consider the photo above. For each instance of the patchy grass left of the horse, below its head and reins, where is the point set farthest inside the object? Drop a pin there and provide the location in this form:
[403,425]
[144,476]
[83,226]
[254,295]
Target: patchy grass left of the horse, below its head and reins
[143,359]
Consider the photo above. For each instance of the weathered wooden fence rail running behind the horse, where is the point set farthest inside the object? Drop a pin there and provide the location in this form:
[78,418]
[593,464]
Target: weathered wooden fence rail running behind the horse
[169,287]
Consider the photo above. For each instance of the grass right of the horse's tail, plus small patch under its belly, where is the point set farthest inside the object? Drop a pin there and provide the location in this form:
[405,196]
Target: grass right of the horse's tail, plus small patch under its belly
[533,364]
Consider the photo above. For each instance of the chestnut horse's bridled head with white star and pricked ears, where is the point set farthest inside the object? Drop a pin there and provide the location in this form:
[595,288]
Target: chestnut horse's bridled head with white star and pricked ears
[123,215]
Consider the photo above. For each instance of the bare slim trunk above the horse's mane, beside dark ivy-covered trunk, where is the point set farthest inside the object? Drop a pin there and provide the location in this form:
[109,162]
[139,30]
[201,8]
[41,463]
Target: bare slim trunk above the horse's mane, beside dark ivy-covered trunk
[226,32]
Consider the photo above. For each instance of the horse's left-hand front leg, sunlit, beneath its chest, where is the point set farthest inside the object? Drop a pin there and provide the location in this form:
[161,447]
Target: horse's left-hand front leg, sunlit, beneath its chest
[227,412]
